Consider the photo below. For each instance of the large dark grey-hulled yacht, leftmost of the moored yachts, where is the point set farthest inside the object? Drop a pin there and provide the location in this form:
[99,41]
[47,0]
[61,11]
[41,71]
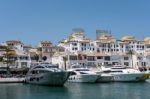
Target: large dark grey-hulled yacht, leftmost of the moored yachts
[47,74]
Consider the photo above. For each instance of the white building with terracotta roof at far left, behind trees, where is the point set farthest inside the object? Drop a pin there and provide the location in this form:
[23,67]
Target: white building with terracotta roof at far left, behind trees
[21,58]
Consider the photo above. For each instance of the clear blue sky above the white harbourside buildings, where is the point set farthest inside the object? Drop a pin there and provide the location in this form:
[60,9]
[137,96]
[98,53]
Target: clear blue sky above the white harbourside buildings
[34,20]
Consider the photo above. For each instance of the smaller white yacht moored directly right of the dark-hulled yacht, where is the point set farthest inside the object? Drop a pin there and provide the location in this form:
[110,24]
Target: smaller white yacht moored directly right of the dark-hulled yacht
[82,74]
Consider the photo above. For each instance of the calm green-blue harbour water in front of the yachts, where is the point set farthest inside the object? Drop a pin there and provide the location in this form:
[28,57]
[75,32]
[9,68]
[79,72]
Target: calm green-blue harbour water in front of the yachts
[77,91]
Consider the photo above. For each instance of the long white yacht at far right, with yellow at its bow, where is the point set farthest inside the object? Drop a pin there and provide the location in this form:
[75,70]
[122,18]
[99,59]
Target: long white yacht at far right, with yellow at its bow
[121,74]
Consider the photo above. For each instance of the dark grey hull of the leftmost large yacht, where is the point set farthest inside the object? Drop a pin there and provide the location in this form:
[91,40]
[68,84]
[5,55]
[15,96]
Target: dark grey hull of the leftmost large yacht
[49,78]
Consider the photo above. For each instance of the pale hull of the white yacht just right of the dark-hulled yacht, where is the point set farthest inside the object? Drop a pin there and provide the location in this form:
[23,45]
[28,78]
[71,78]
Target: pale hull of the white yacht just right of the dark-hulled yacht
[84,78]
